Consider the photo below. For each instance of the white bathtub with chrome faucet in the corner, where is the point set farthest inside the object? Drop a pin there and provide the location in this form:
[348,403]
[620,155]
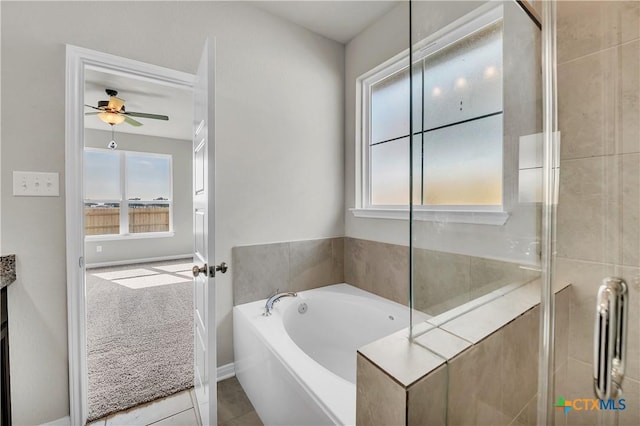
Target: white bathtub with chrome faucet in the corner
[300,368]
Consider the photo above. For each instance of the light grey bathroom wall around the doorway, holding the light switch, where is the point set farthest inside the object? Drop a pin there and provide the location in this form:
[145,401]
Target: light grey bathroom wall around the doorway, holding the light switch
[279,135]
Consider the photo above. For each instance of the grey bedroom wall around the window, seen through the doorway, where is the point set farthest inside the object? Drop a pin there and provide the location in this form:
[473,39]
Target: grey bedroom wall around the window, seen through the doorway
[181,242]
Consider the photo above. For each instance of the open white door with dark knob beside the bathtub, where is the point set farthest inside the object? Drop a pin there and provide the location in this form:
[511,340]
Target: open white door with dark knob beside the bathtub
[203,236]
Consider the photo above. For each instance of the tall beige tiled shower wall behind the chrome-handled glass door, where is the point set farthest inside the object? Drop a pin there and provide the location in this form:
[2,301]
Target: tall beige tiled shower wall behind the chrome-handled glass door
[599,204]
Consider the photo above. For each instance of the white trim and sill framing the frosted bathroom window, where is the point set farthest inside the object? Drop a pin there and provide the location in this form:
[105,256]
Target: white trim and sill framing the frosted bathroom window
[487,215]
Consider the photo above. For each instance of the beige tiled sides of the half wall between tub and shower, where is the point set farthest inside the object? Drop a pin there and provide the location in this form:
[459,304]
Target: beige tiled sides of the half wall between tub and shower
[492,382]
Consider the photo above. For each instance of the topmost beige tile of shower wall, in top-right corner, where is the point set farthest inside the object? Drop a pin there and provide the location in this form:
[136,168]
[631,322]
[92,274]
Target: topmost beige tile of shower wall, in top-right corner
[588,26]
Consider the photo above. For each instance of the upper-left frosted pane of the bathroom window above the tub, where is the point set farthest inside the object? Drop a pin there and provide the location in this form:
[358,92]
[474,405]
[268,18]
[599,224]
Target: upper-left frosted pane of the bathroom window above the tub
[390,105]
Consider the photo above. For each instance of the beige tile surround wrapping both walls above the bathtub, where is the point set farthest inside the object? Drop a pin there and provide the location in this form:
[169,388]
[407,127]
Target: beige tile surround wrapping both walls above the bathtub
[442,280]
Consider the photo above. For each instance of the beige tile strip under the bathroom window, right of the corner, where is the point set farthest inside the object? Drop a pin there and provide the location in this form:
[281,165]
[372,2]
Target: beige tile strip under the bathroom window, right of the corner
[441,280]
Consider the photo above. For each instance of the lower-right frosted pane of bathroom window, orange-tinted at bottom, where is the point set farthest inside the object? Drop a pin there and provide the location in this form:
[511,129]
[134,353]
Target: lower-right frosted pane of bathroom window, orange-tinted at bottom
[463,164]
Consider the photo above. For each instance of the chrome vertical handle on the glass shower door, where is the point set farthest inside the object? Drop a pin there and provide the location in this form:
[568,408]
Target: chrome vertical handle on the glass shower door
[610,338]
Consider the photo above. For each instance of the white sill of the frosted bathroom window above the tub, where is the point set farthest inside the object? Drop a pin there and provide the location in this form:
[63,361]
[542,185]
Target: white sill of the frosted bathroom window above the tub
[497,218]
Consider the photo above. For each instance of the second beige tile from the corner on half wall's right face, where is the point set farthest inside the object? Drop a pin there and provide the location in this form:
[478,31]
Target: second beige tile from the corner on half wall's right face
[475,385]
